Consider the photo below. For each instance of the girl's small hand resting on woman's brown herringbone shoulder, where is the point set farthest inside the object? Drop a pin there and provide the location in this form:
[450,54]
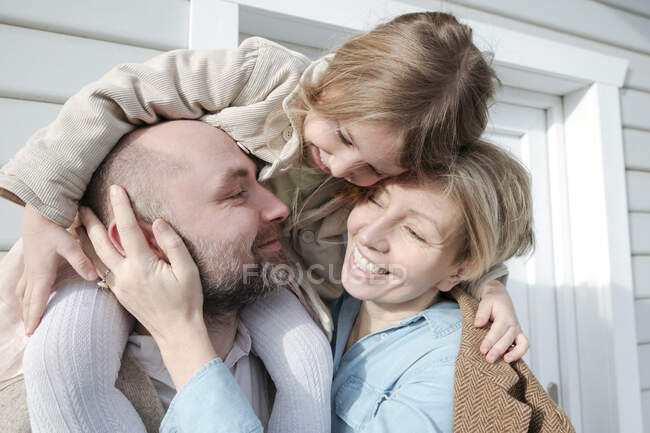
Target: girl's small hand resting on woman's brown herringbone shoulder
[505,335]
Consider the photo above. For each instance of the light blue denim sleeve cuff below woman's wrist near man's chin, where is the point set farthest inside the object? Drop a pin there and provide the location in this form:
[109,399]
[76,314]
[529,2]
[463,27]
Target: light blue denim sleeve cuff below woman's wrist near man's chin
[211,401]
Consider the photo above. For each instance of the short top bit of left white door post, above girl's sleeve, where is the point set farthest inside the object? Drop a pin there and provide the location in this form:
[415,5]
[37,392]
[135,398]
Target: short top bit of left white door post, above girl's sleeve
[213,24]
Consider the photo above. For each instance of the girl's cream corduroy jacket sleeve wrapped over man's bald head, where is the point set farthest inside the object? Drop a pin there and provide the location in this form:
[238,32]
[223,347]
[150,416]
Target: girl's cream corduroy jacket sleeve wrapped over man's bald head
[52,170]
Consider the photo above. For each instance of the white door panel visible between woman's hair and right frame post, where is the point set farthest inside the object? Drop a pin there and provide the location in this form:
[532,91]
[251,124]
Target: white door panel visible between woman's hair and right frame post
[522,131]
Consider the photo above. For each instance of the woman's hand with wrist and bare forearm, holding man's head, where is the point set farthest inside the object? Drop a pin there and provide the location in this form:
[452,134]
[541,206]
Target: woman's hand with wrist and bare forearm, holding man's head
[166,298]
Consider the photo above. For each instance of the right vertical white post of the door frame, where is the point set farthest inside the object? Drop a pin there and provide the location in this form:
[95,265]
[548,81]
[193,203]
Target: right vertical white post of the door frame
[602,270]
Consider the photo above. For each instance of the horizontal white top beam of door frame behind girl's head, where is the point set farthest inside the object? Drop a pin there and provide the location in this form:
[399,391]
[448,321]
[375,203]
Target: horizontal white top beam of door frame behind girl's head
[545,57]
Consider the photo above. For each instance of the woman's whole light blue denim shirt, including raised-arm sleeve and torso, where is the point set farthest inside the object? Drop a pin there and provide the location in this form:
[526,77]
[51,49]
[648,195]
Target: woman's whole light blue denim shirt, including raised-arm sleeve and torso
[398,380]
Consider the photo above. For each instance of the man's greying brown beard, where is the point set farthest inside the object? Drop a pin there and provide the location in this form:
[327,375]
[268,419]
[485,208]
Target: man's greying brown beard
[225,272]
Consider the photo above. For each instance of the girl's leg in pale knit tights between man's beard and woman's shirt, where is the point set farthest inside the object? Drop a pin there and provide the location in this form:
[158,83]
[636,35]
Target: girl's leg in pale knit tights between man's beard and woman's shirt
[298,357]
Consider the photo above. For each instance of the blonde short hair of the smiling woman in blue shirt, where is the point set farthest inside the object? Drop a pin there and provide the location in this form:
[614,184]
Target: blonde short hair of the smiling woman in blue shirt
[493,193]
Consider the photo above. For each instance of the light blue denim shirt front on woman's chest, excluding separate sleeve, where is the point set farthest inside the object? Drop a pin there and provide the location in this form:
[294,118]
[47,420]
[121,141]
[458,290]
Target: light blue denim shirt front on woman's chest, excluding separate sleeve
[397,380]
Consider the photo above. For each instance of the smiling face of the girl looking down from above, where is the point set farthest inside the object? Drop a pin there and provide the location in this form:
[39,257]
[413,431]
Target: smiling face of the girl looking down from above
[362,152]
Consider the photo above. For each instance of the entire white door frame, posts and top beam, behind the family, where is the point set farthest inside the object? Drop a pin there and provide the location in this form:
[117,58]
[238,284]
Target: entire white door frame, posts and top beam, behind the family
[593,272]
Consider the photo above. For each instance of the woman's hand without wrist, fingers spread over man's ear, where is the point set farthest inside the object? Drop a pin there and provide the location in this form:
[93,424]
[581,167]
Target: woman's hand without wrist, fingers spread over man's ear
[159,294]
